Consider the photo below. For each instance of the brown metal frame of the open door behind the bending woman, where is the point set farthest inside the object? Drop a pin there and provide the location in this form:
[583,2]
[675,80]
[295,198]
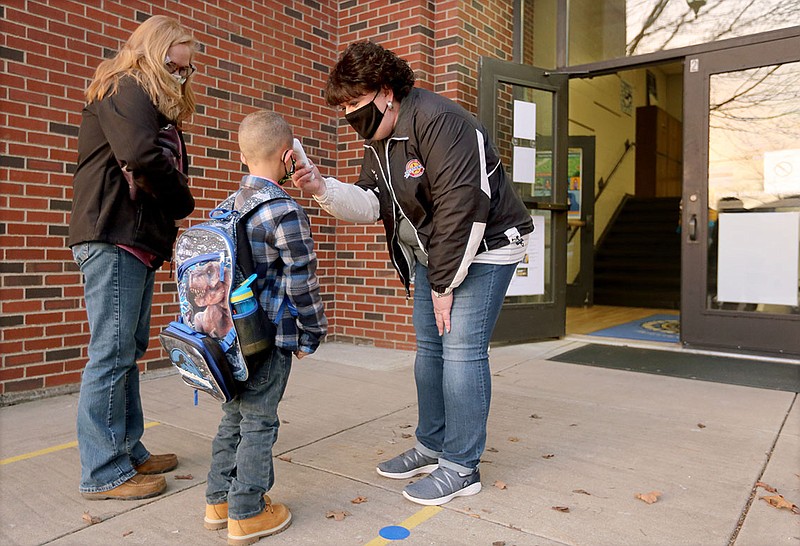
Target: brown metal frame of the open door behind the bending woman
[522,322]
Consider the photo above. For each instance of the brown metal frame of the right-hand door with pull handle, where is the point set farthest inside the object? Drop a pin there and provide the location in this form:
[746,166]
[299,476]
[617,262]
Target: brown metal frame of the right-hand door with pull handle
[700,326]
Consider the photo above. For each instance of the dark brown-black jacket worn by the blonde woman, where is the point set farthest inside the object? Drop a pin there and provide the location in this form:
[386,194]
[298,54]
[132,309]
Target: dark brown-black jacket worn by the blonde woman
[125,126]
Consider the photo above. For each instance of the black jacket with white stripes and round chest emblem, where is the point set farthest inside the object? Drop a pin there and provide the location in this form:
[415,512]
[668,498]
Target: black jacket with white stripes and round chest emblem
[445,176]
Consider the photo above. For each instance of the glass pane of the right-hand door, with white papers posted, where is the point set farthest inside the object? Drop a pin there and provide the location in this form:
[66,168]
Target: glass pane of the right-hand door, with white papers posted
[754,190]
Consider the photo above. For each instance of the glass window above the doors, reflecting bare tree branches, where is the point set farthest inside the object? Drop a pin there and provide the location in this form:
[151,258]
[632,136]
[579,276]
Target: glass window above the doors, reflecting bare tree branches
[601,30]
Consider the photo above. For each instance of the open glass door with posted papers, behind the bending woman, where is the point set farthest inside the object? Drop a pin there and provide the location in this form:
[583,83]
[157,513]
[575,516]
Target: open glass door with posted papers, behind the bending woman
[525,110]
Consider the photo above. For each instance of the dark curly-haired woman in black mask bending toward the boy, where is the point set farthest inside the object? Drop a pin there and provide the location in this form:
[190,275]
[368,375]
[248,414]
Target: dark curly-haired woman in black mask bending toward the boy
[455,226]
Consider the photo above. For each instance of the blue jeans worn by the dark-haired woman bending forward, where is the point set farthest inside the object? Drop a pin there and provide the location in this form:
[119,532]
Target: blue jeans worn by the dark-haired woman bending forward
[454,386]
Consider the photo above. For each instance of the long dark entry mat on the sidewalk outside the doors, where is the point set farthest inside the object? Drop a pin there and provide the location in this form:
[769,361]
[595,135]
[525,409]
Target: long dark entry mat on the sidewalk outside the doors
[719,369]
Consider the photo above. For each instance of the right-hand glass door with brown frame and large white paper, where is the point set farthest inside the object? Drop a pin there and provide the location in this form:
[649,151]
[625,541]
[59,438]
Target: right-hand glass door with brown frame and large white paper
[741,199]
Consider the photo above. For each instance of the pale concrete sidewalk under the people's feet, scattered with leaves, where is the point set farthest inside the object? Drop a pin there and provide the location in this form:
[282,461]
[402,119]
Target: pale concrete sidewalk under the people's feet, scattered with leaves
[582,438]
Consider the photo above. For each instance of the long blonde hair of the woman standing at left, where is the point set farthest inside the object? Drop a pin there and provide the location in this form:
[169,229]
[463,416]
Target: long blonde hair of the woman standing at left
[142,57]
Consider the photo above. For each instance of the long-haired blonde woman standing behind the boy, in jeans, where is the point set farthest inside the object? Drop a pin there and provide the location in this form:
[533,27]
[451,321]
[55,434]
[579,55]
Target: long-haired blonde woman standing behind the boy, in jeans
[130,188]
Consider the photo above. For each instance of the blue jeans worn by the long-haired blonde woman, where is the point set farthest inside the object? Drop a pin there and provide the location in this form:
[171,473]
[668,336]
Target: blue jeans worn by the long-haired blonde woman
[118,289]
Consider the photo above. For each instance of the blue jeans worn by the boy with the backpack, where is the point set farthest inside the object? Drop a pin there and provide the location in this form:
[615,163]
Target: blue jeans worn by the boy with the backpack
[241,453]
